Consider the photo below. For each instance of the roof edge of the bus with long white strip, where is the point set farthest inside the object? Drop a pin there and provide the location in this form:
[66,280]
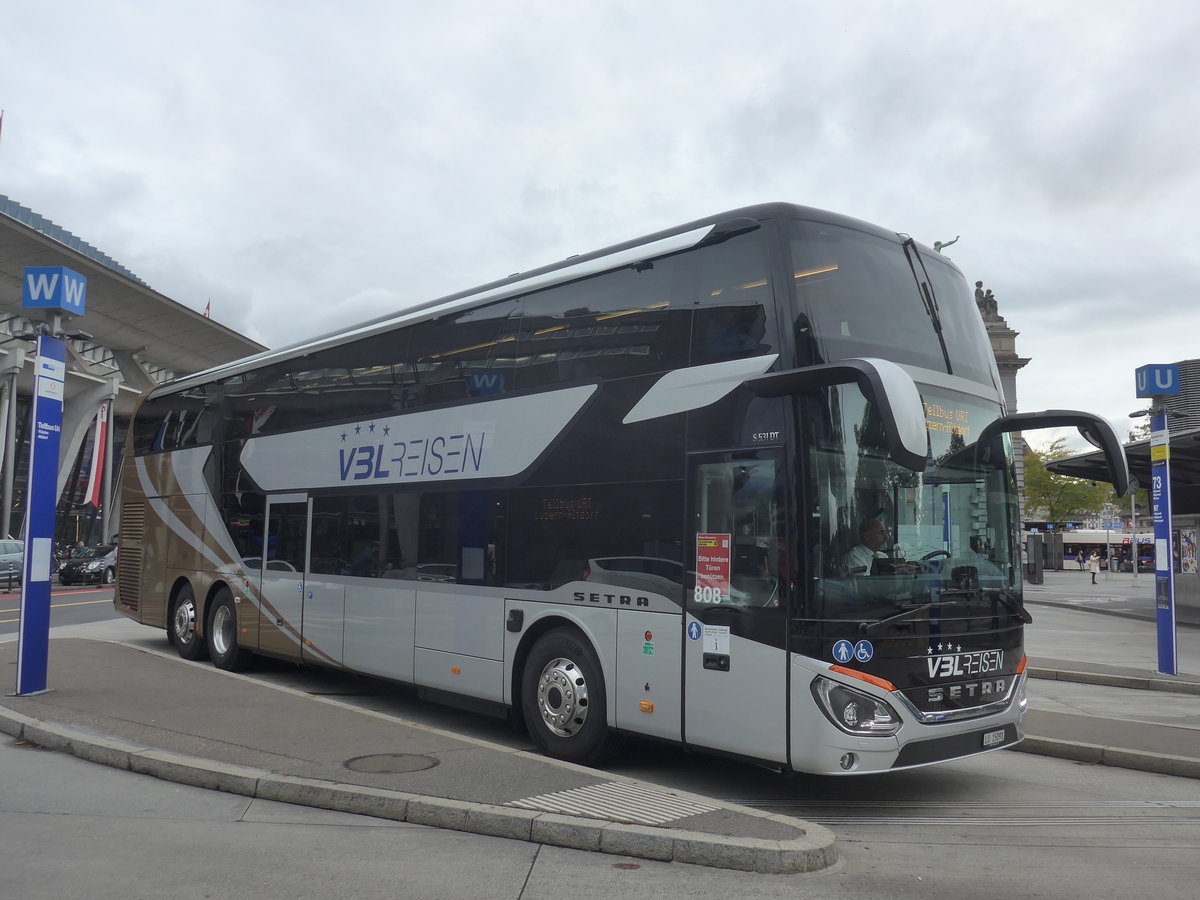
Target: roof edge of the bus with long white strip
[711,230]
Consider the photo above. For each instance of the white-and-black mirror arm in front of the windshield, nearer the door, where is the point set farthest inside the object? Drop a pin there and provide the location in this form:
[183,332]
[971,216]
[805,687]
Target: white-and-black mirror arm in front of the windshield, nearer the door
[887,387]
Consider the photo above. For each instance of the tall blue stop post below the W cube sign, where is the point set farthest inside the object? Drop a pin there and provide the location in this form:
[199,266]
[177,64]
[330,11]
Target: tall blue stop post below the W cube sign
[34,635]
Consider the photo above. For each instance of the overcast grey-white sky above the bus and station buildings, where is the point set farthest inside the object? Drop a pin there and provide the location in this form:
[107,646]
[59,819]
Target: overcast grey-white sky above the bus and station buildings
[309,165]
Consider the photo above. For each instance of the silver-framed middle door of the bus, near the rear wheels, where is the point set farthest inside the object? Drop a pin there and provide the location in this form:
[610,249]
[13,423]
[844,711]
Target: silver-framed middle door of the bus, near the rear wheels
[284,560]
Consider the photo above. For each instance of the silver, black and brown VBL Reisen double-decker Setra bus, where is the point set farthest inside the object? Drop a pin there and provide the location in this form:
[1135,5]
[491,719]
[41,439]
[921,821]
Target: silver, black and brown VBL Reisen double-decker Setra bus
[625,494]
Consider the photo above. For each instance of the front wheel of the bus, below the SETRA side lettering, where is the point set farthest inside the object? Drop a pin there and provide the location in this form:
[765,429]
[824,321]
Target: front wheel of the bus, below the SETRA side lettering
[563,695]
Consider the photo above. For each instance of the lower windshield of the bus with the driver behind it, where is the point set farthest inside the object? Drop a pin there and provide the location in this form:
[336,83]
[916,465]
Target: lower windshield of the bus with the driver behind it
[892,538]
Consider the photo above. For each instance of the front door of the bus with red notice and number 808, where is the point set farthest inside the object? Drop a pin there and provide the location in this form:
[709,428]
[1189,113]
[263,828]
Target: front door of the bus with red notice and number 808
[735,657]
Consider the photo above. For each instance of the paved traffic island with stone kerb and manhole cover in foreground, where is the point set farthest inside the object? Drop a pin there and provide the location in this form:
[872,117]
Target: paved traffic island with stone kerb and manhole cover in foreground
[130,709]
